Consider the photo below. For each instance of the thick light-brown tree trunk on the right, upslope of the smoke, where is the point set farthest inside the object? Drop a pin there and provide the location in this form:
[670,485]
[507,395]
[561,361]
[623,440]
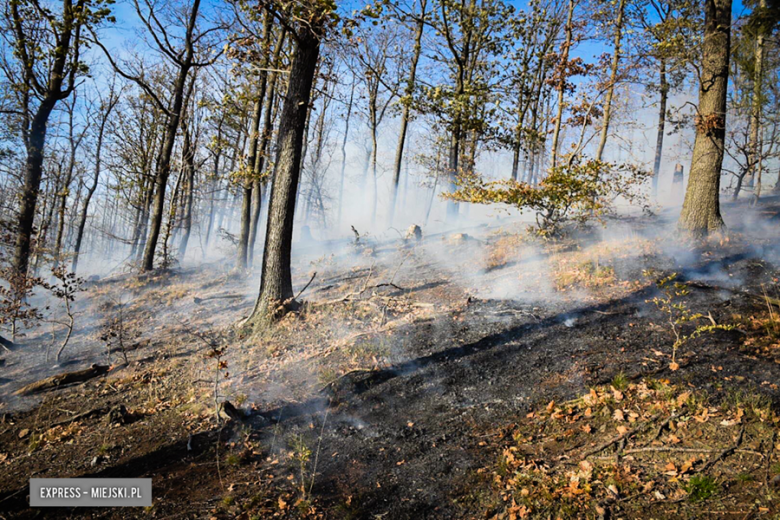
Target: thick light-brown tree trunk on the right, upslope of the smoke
[701,210]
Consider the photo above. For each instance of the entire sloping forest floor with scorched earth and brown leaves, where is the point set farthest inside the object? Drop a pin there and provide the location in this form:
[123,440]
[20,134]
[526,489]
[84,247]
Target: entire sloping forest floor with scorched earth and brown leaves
[479,374]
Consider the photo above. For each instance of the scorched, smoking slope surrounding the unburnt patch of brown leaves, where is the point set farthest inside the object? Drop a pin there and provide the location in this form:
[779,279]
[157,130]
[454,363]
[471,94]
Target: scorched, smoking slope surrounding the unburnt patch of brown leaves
[391,395]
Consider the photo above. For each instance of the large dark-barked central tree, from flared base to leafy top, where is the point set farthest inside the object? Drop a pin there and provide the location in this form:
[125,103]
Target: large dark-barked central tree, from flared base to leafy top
[307,23]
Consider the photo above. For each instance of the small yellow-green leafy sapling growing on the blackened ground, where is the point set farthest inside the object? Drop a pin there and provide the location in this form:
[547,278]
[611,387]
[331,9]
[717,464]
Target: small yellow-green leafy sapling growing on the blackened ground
[678,314]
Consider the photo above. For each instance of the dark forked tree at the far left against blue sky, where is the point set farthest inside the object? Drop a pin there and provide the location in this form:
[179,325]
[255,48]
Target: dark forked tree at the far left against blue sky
[47,46]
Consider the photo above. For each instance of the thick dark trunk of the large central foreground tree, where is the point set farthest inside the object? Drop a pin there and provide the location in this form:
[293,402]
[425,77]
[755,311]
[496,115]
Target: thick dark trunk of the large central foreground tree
[276,285]
